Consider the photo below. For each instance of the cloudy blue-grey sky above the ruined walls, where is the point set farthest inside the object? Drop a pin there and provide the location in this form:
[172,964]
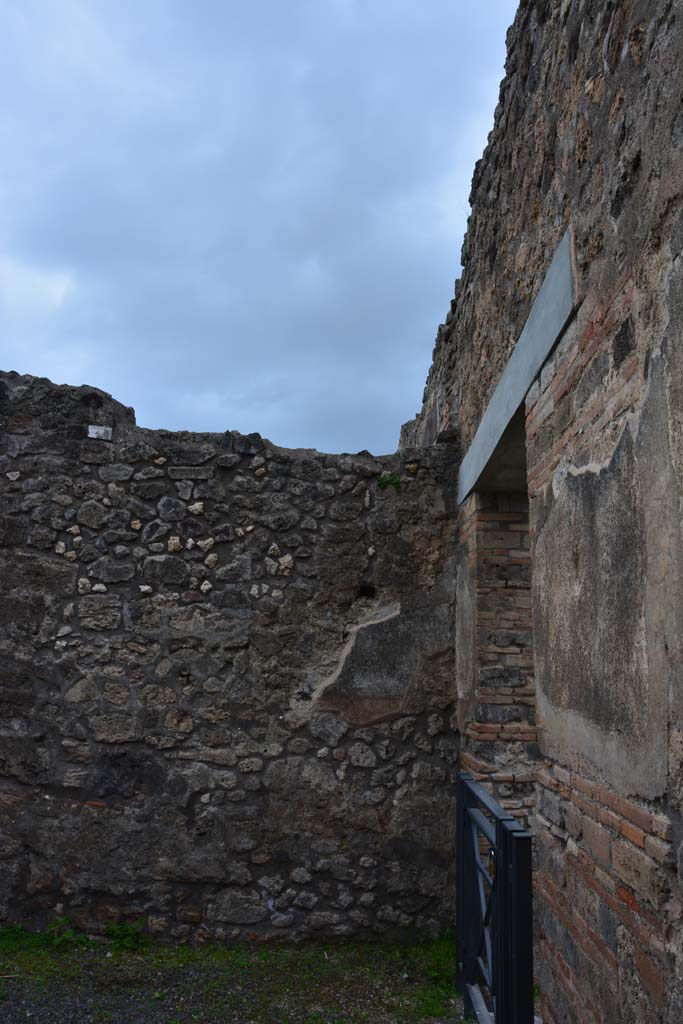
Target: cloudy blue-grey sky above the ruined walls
[241,215]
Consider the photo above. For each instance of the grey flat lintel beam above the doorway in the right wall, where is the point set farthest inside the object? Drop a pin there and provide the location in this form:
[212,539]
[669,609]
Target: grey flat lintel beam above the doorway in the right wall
[551,311]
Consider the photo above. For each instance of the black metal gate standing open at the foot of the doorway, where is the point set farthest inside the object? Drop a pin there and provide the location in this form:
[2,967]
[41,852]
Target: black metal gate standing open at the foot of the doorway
[494,918]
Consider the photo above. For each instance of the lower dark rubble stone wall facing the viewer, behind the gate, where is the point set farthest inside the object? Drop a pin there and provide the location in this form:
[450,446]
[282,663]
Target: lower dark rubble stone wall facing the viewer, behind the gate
[226,678]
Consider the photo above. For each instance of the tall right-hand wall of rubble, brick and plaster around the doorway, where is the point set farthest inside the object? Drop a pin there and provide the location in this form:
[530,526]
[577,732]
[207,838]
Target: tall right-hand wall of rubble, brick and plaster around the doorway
[588,135]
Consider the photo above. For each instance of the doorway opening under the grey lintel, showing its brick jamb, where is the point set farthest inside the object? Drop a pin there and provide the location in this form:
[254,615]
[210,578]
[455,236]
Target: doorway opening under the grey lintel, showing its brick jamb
[495,638]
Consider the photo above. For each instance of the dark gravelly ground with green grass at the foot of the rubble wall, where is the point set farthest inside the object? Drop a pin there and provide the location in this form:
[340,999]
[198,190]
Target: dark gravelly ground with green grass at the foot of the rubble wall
[59,977]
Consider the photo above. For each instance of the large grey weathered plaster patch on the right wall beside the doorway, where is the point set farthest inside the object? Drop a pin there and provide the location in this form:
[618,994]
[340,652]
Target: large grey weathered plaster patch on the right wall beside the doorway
[608,570]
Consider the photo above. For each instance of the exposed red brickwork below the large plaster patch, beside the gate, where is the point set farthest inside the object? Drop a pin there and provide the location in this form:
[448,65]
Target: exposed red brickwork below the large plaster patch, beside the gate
[606,874]
